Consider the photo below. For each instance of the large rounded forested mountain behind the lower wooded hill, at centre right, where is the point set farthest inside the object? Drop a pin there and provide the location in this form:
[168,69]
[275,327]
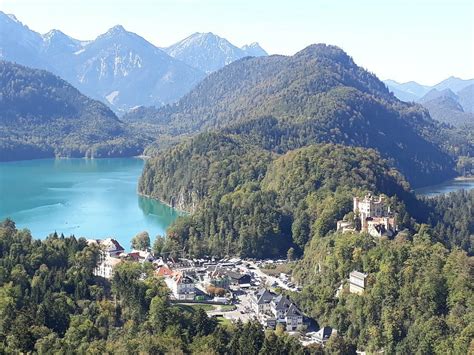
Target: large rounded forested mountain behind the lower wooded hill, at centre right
[318,95]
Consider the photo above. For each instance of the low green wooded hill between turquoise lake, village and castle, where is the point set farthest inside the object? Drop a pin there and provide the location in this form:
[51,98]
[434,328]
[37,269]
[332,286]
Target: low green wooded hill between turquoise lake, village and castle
[248,202]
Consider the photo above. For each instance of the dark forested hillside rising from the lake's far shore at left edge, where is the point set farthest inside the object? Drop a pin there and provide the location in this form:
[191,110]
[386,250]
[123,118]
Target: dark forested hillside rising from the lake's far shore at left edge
[43,116]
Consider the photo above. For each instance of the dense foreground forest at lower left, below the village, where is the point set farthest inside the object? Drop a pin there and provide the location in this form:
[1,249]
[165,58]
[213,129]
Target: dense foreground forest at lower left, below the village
[50,303]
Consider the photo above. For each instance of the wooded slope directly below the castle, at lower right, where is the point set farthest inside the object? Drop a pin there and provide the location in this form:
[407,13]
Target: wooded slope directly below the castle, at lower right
[418,298]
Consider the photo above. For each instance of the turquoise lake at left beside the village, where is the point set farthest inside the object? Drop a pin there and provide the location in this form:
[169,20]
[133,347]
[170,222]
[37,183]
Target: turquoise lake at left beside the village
[88,198]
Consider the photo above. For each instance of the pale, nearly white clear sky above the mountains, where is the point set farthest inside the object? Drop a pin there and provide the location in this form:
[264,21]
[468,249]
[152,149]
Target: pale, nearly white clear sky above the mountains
[422,40]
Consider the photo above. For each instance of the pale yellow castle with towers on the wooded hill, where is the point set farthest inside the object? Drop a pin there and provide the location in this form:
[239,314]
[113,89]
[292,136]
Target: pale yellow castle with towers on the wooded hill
[375,217]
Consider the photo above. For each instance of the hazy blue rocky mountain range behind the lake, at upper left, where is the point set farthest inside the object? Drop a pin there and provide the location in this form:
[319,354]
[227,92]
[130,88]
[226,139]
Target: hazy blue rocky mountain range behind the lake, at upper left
[119,67]
